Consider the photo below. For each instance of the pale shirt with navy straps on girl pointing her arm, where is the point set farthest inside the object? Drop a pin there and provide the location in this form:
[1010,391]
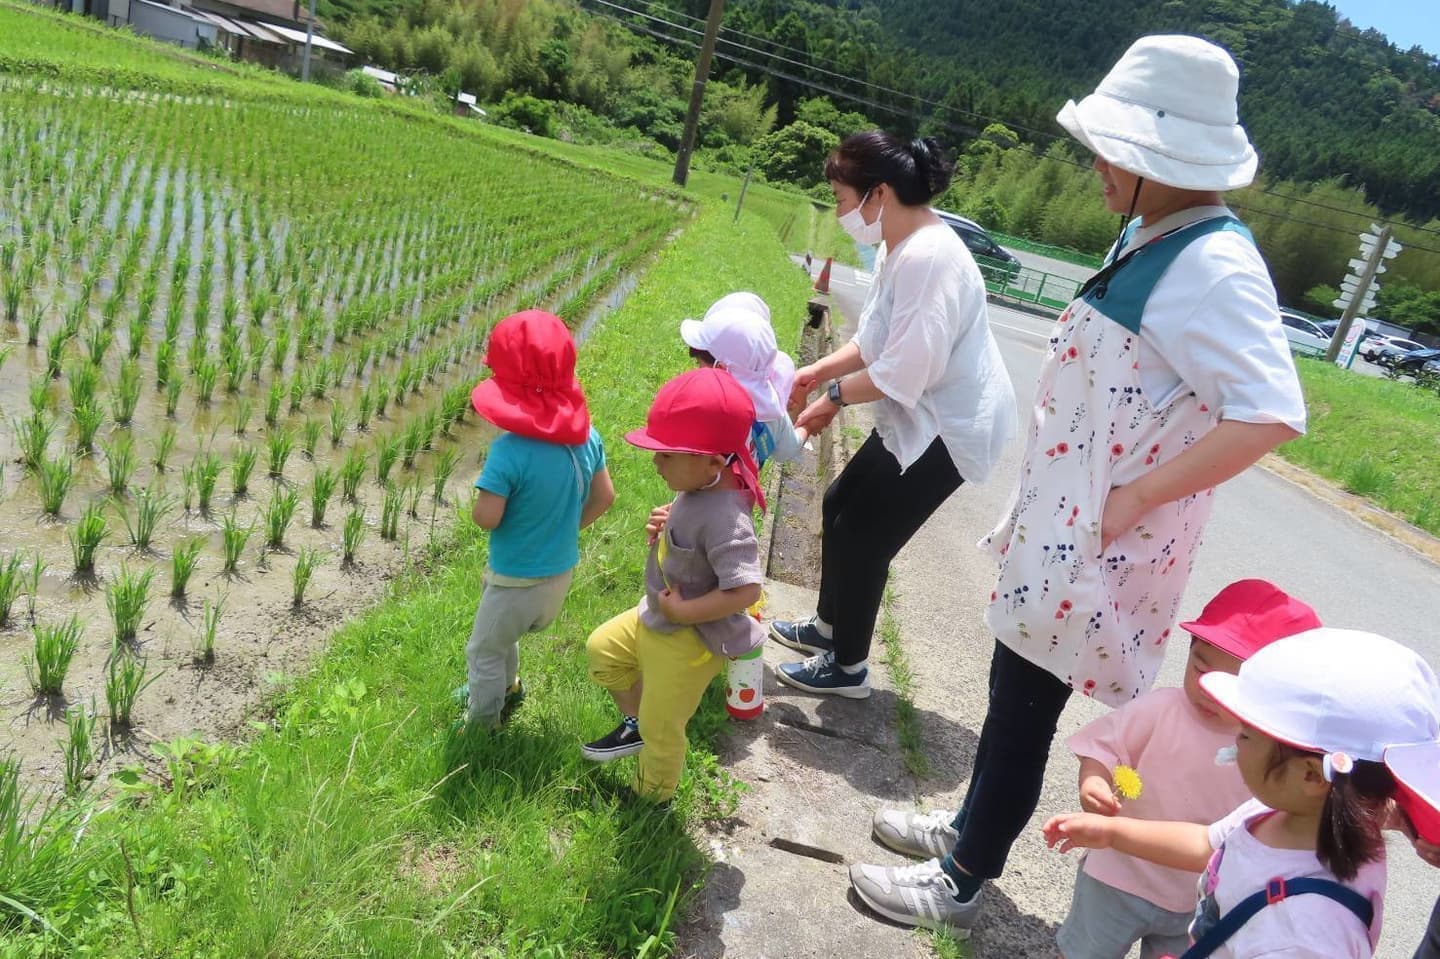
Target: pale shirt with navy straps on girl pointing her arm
[1307,927]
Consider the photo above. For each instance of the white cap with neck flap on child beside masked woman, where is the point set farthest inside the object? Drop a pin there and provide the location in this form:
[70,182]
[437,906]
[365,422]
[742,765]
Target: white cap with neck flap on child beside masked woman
[738,333]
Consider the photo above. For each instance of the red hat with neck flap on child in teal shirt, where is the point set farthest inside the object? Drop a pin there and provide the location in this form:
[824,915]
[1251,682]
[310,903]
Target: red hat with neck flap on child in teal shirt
[532,390]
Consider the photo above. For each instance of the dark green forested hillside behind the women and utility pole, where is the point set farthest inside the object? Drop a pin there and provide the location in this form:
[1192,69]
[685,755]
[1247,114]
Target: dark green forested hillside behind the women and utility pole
[1347,125]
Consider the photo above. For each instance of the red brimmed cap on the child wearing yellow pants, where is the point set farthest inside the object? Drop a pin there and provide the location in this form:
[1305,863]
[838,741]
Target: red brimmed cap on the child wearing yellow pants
[703,413]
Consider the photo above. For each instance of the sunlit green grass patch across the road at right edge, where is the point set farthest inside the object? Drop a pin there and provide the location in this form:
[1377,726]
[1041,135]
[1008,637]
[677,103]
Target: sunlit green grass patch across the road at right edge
[1376,438]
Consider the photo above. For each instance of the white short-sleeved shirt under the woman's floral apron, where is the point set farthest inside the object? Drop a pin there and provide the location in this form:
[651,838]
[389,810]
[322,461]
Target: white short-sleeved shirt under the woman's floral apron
[1213,326]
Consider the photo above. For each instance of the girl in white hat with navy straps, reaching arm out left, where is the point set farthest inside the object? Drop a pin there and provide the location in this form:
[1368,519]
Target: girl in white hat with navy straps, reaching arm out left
[1301,869]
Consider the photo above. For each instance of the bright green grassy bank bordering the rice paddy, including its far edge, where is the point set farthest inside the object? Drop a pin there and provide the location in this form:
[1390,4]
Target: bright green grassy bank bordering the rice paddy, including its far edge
[352,824]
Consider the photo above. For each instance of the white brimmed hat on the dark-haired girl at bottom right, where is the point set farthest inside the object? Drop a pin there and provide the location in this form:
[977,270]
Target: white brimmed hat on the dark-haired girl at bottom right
[1341,693]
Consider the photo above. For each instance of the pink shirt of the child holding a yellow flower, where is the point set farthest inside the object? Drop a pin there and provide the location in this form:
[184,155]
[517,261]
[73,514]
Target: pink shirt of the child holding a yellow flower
[1173,745]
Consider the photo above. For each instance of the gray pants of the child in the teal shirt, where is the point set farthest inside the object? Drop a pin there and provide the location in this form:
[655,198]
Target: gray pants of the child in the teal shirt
[493,653]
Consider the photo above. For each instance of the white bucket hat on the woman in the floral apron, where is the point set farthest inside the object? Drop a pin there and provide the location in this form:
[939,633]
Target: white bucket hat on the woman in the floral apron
[1167,112]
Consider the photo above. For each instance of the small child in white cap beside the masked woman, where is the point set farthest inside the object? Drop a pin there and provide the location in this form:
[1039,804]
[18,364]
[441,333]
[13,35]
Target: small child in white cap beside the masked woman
[737,336]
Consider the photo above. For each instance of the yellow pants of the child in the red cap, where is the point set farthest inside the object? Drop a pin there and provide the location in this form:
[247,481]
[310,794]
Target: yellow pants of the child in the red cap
[676,670]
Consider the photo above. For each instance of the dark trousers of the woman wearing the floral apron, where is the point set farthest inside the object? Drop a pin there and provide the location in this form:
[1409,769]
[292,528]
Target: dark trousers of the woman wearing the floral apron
[1010,762]
